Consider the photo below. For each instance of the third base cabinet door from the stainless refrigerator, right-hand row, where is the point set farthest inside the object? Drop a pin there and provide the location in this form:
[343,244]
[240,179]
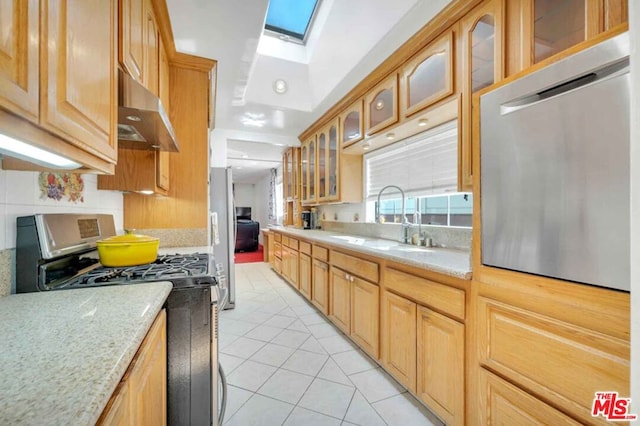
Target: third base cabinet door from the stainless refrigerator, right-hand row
[365,315]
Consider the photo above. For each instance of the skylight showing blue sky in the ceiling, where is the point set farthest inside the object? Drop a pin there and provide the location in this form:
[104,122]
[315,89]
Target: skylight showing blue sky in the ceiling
[290,19]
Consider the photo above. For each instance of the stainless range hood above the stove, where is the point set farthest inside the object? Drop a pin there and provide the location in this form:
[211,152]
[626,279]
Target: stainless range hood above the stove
[143,122]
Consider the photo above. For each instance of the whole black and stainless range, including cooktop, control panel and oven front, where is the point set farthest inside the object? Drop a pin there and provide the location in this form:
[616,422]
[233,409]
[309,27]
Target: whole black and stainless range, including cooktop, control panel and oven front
[57,252]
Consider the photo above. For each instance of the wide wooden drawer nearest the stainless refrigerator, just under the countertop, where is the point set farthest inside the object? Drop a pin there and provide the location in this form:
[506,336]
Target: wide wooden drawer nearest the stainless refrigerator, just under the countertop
[438,296]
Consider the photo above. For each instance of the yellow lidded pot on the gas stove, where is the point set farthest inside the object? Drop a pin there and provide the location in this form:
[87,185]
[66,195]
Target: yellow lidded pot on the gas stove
[128,250]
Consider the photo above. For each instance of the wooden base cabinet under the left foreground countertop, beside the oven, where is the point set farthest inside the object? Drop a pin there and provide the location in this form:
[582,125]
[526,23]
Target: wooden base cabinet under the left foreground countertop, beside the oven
[141,397]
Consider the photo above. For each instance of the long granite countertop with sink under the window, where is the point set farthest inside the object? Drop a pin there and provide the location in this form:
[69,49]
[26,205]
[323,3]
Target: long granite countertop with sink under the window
[452,262]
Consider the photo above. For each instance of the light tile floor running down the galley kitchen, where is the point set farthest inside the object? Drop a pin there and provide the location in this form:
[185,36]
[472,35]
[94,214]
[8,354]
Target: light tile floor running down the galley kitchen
[286,364]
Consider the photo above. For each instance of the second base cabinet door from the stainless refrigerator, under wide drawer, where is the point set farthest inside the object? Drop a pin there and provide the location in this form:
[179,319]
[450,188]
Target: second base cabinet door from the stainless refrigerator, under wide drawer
[398,345]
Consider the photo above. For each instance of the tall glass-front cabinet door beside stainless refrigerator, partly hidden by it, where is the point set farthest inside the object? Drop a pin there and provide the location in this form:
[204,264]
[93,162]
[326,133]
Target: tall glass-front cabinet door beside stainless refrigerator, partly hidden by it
[481,65]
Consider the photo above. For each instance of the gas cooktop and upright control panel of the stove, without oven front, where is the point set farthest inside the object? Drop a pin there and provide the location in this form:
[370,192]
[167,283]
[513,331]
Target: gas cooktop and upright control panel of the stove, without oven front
[58,251]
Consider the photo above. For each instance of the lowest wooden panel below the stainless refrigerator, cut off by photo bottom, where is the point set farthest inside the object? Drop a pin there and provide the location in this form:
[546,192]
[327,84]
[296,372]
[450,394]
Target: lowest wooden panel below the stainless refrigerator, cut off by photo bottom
[505,404]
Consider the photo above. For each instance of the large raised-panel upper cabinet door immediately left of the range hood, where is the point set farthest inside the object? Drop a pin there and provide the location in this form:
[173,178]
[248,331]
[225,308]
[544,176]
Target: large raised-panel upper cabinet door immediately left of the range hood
[78,93]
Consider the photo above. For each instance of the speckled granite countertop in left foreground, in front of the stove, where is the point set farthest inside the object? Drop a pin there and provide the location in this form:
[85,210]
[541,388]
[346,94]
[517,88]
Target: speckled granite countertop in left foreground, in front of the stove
[64,352]
